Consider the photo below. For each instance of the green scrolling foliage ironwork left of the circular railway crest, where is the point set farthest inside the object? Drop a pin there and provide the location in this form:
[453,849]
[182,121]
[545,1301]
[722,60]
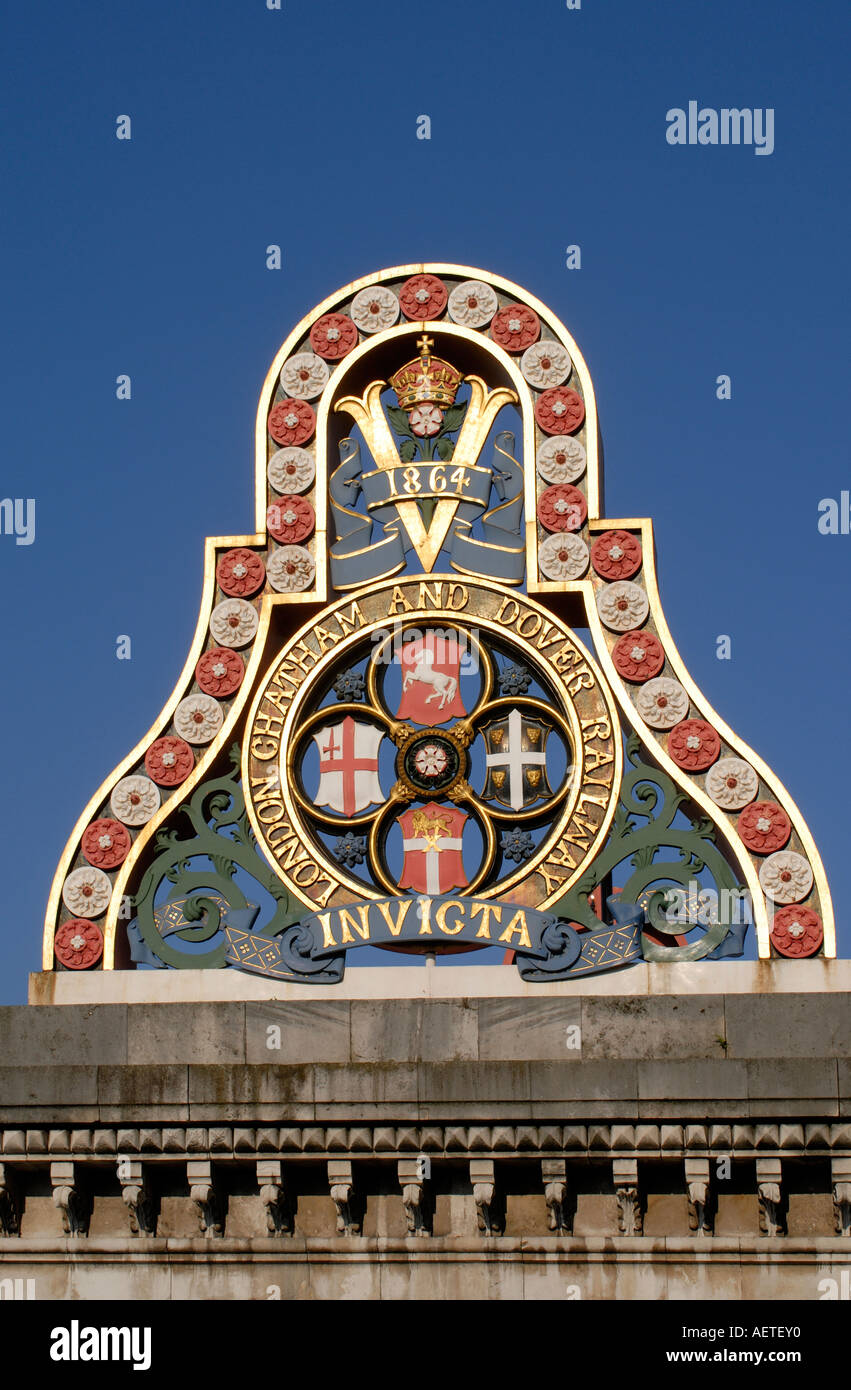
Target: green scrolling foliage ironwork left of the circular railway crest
[223,839]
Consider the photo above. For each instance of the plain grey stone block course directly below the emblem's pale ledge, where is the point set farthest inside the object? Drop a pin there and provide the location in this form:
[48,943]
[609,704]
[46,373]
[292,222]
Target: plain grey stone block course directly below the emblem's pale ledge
[721,1028]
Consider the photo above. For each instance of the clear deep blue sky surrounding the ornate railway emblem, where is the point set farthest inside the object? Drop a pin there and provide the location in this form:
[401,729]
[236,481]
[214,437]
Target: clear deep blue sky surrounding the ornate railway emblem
[298,127]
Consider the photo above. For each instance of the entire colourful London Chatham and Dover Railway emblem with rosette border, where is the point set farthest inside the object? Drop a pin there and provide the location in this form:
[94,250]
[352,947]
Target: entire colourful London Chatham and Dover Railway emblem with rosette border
[389,722]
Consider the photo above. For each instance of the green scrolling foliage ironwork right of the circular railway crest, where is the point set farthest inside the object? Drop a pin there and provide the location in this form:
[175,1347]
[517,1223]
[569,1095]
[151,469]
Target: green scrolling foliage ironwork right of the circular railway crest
[650,794]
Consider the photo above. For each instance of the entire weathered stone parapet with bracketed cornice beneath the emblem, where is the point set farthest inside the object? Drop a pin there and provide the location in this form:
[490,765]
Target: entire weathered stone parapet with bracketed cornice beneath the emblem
[657,1146]
